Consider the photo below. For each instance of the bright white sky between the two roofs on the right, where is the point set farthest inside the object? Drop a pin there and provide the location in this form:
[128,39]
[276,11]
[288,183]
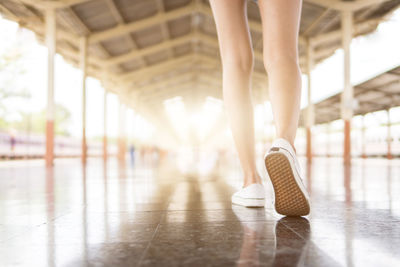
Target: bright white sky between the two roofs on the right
[371,55]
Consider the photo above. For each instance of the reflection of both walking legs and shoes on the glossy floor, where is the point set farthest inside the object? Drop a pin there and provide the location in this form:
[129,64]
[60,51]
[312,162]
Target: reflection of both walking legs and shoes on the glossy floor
[273,243]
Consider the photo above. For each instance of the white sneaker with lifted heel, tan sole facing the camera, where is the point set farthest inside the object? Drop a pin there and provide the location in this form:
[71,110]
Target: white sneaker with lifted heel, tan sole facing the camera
[291,197]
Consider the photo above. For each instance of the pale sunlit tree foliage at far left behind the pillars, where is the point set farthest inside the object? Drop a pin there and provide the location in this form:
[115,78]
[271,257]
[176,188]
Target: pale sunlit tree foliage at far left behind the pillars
[14,94]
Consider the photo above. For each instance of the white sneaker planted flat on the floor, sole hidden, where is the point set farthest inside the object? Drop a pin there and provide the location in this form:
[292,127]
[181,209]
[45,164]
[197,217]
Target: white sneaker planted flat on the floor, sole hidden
[250,196]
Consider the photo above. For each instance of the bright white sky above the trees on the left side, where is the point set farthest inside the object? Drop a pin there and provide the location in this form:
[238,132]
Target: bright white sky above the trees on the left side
[67,84]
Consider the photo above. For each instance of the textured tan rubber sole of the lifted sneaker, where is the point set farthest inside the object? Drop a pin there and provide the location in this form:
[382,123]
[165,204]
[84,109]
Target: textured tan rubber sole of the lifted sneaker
[289,199]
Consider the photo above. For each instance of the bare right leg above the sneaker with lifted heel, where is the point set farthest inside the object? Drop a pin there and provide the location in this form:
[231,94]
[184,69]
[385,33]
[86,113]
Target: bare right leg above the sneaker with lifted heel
[280,19]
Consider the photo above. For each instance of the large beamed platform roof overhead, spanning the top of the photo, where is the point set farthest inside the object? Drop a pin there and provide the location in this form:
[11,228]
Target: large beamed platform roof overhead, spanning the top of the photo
[147,51]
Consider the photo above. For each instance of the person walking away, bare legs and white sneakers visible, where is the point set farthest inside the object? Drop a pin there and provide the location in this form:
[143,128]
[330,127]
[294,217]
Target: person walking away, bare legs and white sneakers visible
[280,22]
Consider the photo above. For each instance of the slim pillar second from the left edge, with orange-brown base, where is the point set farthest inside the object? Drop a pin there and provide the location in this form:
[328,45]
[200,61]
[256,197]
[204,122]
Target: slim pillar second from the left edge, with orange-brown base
[83,66]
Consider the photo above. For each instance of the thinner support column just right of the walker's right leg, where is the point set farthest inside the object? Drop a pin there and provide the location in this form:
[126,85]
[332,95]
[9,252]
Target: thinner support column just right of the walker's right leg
[310,107]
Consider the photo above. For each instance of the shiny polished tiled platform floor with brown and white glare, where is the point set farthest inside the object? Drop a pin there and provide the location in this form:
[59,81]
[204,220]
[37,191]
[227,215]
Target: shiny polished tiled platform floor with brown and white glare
[158,216]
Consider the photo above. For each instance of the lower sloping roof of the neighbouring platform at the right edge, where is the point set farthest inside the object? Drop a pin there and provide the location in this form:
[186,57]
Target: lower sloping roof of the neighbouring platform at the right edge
[381,92]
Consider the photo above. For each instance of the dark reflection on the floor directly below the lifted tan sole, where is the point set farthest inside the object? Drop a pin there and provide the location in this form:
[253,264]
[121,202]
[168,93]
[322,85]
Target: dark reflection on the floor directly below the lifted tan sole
[292,237]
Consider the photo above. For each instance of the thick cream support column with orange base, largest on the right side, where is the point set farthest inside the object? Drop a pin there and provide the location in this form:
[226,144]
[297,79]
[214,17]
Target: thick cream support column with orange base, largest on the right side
[347,94]
